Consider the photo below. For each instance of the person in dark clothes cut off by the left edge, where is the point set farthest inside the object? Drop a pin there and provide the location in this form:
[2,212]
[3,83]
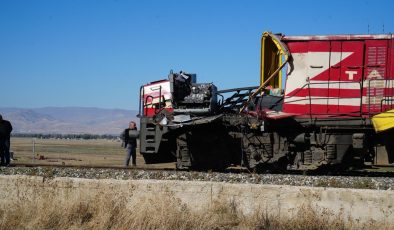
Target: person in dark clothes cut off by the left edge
[5,134]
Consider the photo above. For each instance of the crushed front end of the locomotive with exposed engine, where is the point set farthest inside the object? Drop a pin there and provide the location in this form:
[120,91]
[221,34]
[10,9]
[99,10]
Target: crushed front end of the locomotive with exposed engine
[179,121]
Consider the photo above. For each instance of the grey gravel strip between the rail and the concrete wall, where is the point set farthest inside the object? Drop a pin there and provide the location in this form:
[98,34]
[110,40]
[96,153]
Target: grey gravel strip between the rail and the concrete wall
[379,183]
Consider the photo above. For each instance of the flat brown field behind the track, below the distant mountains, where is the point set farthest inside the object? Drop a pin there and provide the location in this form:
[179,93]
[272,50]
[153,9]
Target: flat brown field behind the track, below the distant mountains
[106,153]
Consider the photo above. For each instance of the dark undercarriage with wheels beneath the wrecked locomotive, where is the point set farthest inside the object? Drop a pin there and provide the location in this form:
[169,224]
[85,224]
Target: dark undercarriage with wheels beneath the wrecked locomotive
[235,139]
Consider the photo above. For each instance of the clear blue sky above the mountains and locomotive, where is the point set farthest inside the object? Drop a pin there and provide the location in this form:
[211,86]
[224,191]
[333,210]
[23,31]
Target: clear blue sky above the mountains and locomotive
[98,53]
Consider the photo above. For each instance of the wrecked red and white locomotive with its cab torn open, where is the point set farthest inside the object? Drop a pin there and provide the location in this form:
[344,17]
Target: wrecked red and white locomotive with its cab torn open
[323,101]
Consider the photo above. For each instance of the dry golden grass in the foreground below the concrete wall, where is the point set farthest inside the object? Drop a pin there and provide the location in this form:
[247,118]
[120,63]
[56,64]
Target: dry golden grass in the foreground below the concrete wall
[107,211]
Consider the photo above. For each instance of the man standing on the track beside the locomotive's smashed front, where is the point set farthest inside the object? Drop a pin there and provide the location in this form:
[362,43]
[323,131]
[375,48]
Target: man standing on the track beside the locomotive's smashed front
[129,137]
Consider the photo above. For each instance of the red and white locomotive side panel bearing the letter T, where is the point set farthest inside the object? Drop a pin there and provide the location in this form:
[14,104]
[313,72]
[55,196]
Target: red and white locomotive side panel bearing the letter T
[326,78]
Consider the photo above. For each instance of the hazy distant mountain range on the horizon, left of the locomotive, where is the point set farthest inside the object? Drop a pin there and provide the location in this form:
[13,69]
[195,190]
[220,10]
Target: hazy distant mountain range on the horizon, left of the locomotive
[69,120]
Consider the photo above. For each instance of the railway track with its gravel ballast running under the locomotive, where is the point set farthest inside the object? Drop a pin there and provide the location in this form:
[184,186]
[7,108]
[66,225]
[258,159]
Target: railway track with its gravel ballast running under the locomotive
[357,180]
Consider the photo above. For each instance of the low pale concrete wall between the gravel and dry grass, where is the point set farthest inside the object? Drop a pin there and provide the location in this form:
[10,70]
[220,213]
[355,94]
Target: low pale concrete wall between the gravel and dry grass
[356,204]
